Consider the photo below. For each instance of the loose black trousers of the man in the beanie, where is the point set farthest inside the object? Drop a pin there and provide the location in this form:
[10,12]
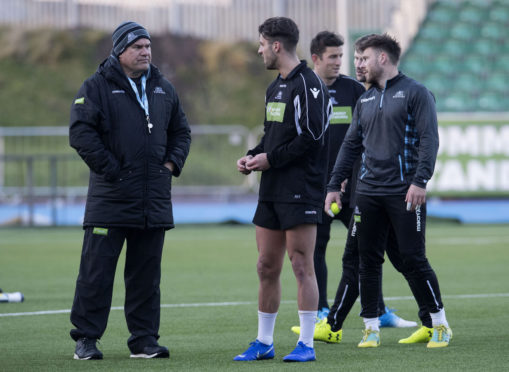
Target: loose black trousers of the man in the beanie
[142,275]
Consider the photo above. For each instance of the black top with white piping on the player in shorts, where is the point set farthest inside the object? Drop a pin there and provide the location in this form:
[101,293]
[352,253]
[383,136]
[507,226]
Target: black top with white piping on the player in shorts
[297,110]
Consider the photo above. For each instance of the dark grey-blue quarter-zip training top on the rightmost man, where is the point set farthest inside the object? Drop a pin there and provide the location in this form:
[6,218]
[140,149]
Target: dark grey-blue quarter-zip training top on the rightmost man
[396,131]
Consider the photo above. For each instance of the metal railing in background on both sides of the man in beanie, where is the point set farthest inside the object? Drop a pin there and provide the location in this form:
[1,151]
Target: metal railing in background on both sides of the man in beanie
[39,171]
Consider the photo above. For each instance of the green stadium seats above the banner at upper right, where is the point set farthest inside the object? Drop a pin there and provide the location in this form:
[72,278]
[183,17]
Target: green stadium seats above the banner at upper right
[460,53]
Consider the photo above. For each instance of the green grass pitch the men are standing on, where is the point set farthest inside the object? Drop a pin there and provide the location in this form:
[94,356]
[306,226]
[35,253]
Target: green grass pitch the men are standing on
[209,294]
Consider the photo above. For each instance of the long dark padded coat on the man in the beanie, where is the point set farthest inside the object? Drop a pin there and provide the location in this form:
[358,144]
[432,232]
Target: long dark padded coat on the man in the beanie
[129,185]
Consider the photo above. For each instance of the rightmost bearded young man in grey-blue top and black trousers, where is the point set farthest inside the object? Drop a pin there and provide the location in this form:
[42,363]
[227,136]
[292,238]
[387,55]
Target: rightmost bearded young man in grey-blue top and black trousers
[395,129]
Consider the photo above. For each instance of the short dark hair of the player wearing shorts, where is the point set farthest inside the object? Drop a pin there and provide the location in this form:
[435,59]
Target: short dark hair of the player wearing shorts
[281,29]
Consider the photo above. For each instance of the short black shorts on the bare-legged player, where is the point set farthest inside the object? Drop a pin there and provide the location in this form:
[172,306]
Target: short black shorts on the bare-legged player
[283,216]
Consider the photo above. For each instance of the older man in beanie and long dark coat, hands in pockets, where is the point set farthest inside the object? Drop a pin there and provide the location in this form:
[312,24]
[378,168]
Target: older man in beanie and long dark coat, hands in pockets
[128,126]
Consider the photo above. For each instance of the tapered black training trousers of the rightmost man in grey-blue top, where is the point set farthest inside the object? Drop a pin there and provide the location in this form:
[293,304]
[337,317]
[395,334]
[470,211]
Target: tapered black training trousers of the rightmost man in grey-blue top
[376,215]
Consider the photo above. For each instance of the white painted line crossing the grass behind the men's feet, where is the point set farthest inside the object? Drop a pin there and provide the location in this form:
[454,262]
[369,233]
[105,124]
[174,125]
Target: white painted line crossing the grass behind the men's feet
[241,303]
